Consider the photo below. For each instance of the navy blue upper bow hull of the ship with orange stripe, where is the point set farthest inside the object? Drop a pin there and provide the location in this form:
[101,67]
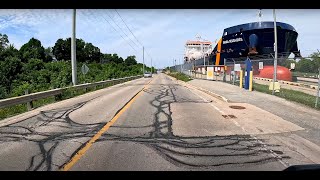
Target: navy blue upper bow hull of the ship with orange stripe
[256,41]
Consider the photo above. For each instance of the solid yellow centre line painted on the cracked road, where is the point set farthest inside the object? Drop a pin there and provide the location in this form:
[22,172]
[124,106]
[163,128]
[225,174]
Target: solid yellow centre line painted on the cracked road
[83,150]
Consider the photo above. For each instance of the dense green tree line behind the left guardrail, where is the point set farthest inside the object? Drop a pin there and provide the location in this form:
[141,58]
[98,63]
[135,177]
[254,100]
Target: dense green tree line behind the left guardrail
[36,68]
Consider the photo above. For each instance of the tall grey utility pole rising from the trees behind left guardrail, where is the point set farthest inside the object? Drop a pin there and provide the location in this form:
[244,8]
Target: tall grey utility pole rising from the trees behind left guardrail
[73,50]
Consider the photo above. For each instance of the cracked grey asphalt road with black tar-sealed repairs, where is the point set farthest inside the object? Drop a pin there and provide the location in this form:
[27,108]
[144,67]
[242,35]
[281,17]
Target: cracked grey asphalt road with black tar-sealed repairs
[168,125]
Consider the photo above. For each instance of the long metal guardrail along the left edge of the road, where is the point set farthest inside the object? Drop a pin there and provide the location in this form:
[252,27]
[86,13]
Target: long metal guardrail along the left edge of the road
[44,94]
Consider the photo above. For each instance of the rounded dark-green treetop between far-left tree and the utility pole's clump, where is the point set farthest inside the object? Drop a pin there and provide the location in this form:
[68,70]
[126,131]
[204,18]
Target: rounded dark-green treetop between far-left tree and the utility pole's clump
[32,49]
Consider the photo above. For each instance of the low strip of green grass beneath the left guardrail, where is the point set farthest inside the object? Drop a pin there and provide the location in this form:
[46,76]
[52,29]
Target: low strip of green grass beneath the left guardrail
[70,93]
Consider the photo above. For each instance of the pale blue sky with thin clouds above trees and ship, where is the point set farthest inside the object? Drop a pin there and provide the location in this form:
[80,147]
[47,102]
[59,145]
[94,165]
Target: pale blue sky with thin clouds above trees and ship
[163,32]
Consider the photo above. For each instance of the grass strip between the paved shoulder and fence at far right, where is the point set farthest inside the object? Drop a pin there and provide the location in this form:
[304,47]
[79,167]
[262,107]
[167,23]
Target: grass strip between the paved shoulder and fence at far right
[290,95]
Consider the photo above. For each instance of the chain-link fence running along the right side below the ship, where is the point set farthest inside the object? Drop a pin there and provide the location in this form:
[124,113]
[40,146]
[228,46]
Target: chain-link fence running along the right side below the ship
[294,74]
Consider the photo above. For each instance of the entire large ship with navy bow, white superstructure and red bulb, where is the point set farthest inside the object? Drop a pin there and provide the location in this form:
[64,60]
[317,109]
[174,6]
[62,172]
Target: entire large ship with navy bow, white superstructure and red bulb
[253,40]
